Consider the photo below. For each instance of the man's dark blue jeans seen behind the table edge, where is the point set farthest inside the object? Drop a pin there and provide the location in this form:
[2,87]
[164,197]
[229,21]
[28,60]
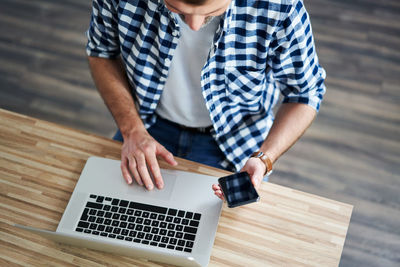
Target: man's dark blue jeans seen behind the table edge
[187,144]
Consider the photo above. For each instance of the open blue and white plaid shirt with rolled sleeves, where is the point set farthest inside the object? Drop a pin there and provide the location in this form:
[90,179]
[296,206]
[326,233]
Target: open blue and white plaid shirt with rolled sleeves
[261,49]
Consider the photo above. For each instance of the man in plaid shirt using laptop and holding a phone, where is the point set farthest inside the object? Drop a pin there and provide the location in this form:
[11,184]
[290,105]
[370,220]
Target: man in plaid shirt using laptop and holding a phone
[200,78]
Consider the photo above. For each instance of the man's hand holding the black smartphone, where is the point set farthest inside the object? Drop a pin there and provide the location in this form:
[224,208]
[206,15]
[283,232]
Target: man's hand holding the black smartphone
[254,167]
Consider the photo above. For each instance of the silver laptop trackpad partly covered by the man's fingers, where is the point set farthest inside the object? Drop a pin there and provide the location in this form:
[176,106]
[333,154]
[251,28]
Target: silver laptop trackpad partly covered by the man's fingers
[163,194]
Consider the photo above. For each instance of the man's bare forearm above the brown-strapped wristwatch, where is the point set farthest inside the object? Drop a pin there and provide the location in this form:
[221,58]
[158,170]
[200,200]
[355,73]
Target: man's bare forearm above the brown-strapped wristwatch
[290,123]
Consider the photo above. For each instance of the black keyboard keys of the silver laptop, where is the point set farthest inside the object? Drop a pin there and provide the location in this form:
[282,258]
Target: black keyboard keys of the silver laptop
[139,223]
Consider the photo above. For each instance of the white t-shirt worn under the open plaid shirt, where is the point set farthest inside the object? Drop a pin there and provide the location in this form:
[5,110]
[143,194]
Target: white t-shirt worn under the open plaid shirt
[182,100]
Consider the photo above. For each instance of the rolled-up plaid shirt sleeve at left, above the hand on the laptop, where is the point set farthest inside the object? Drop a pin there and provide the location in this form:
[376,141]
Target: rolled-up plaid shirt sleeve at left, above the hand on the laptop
[103,30]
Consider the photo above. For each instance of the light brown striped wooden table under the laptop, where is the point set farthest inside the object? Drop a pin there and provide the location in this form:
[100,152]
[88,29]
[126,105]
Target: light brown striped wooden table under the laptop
[40,163]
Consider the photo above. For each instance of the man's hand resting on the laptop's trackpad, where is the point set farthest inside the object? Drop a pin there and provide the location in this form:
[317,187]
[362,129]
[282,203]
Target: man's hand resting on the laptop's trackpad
[139,159]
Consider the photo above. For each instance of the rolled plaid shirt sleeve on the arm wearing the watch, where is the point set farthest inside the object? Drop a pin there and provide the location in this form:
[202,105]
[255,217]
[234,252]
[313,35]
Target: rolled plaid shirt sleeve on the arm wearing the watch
[294,62]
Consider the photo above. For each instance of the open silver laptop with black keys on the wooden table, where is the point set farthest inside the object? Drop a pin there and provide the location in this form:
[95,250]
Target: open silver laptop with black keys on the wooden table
[175,225]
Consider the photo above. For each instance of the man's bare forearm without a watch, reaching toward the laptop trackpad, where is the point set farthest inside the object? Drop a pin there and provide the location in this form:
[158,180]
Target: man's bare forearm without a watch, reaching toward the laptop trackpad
[112,83]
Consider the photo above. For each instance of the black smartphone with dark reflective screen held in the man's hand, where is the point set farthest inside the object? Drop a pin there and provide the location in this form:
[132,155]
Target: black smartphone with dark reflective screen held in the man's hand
[238,189]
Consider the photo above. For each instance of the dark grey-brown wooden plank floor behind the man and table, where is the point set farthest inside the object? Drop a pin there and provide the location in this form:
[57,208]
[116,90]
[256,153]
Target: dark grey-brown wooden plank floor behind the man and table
[351,153]
